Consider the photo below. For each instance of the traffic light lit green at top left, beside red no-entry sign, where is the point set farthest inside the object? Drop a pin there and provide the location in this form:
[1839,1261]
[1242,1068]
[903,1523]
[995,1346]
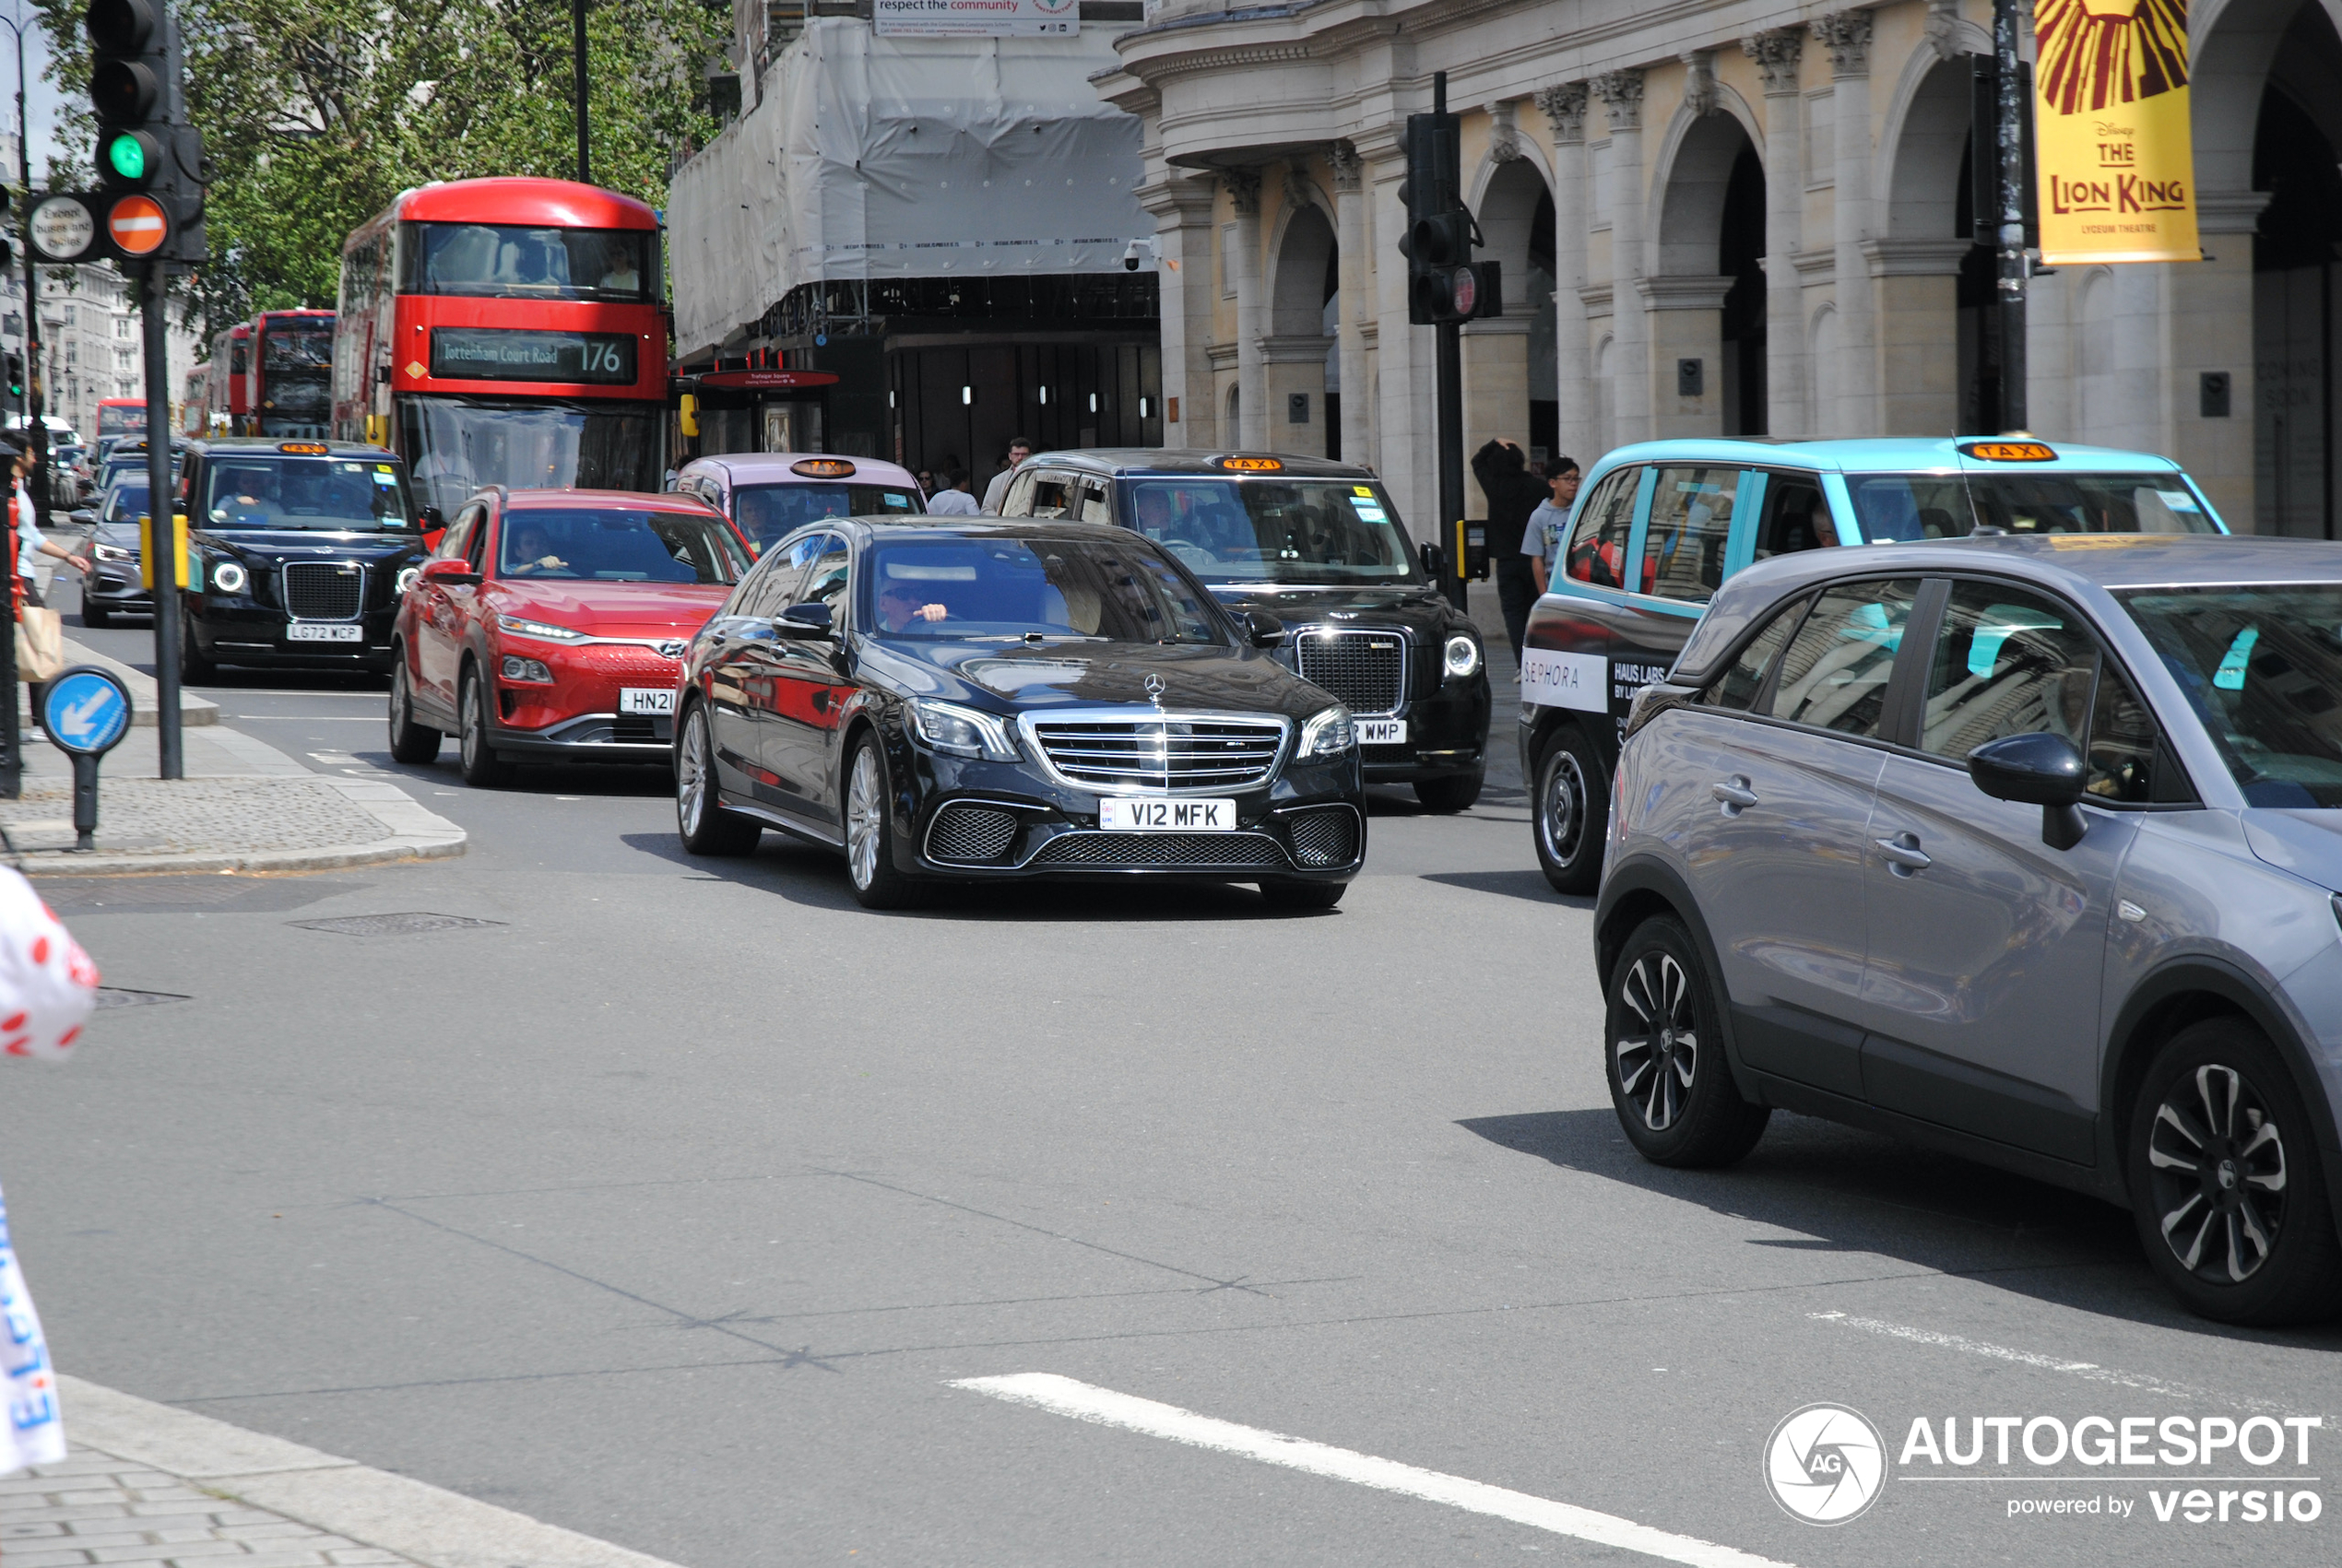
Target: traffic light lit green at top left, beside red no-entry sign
[149,158]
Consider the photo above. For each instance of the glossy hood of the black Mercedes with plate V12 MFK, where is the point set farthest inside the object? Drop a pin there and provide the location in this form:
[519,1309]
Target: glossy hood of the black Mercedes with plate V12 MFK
[1095,675]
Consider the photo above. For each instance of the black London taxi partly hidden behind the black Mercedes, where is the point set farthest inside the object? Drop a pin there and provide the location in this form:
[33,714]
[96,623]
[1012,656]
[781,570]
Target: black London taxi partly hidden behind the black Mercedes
[1322,549]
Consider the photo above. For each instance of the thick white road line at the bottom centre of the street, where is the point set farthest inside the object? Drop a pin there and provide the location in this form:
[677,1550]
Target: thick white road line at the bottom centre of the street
[1135,1415]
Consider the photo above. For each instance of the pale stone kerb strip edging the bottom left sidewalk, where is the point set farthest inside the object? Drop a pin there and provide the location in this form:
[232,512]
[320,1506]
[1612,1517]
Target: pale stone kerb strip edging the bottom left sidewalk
[416,1520]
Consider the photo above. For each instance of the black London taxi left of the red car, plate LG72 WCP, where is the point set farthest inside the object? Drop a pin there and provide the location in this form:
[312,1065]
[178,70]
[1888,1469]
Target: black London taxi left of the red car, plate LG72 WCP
[299,553]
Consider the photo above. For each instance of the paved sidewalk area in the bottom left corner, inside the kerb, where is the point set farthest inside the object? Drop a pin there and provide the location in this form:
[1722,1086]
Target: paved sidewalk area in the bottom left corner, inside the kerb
[97,1508]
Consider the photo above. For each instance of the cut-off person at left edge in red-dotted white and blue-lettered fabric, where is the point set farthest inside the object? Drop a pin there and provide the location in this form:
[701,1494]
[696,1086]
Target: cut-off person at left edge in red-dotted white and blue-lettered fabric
[48,989]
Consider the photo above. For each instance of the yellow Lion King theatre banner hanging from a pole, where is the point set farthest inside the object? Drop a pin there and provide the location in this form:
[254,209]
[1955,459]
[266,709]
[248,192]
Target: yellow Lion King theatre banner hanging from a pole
[2111,132]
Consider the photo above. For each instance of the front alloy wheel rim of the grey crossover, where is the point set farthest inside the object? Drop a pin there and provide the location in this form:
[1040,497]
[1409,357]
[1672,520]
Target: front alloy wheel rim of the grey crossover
[2219,1174]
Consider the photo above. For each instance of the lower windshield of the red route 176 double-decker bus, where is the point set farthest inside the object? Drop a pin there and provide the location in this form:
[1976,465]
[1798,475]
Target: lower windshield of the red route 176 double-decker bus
[463,443]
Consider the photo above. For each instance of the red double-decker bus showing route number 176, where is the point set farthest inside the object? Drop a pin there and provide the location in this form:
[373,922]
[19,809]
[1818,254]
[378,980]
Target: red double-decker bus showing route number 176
[507,333]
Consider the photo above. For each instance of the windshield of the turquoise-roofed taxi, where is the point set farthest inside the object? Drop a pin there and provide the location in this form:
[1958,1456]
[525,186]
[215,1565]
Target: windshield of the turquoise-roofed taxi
[1952,504]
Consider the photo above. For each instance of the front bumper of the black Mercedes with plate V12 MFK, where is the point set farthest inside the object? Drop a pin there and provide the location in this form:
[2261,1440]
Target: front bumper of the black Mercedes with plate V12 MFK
[1306,825]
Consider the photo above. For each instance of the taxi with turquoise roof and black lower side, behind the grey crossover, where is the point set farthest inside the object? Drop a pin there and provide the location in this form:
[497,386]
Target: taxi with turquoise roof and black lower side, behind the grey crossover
[1662,525]
